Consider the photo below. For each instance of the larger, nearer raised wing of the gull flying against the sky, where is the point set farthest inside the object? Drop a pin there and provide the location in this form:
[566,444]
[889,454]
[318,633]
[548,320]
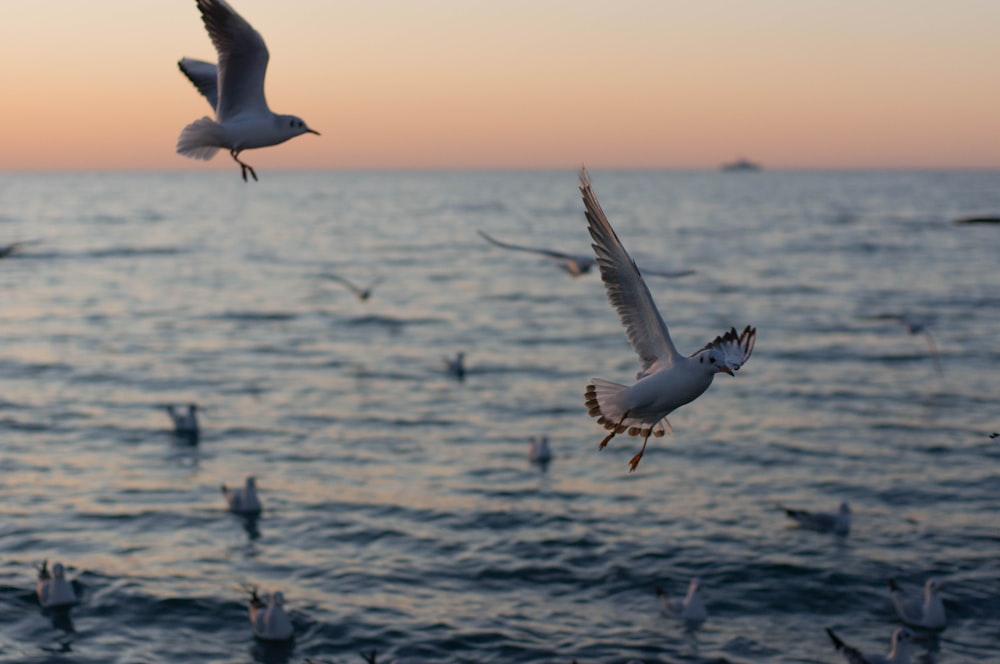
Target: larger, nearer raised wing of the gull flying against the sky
[242,60]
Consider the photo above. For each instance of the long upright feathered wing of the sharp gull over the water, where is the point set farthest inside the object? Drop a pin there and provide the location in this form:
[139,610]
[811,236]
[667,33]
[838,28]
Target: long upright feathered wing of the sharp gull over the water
[626,290]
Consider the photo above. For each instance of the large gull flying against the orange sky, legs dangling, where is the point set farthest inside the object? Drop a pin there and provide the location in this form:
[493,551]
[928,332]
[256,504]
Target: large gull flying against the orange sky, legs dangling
[235,90]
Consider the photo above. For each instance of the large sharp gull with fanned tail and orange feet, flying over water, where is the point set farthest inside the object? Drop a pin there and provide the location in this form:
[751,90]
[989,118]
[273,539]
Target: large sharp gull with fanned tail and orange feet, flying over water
[667,380]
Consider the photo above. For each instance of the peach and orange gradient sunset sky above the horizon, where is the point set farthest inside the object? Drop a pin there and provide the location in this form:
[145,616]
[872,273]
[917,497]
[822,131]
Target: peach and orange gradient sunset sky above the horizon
[93,84]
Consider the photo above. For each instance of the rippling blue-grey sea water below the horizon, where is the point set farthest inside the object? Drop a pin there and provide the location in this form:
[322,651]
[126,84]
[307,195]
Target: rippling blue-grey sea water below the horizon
[400,511]
